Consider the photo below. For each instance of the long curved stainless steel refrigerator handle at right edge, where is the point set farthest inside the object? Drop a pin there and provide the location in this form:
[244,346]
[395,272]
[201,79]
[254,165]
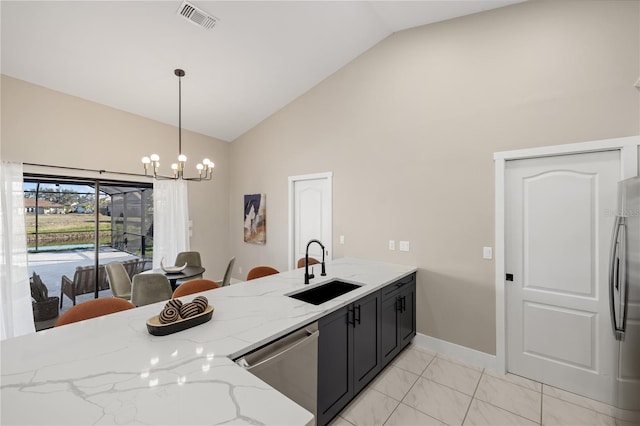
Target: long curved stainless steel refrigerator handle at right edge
[616,273]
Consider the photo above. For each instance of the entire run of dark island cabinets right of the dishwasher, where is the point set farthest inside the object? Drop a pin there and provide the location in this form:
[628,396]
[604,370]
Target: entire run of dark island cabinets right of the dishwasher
[358,340]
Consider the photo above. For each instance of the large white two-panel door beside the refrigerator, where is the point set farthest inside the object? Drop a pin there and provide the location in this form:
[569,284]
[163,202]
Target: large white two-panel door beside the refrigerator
[559,219]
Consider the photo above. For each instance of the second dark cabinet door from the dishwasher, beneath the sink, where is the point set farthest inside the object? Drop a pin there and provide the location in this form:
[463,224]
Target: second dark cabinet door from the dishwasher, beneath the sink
[366,340]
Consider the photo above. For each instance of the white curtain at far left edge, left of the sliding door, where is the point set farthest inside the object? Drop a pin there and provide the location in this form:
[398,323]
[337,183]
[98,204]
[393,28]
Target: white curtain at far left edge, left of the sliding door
[16,316]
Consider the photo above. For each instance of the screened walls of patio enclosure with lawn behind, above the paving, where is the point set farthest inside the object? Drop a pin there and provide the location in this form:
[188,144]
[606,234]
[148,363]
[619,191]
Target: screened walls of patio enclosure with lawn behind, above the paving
[66,214]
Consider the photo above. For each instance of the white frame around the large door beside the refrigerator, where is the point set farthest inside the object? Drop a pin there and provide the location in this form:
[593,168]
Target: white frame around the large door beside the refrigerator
[628,147]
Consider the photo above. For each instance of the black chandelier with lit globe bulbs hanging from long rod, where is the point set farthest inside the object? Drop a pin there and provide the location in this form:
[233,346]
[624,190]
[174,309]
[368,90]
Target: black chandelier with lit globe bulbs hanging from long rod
[205,169]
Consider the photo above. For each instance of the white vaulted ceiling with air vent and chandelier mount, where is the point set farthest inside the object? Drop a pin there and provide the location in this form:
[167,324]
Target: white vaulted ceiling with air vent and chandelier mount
[259,57]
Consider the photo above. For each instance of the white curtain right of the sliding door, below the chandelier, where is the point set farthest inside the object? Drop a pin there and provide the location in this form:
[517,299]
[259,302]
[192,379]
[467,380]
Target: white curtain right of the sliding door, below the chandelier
[170,220]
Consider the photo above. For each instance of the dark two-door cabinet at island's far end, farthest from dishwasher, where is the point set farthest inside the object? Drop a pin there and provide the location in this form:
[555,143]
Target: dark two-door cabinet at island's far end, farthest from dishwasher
[398,312]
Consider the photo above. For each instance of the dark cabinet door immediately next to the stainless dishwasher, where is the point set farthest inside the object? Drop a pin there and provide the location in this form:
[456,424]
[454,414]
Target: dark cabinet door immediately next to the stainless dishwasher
[335,358]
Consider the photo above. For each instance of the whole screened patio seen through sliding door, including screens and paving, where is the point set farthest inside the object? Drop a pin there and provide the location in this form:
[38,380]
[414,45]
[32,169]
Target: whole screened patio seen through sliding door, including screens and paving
[74,222]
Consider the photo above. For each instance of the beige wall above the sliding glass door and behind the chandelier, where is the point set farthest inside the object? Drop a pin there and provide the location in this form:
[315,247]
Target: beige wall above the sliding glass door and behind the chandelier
[42,126]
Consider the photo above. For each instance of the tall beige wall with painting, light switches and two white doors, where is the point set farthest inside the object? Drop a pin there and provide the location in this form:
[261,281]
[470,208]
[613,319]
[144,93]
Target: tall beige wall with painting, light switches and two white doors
[409,130]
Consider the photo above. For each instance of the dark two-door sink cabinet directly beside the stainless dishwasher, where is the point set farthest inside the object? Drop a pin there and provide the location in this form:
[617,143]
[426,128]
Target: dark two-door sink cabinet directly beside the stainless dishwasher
[348,354]
